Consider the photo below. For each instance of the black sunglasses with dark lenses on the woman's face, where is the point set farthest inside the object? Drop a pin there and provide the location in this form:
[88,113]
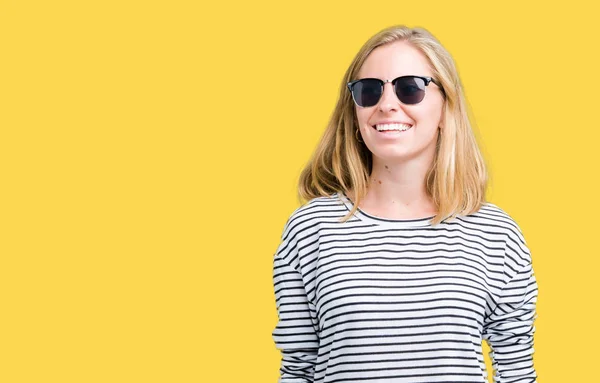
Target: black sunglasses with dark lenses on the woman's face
[410,90]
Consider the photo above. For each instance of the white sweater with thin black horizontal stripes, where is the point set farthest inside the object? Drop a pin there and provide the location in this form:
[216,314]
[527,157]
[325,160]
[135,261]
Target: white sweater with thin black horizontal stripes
[377,300]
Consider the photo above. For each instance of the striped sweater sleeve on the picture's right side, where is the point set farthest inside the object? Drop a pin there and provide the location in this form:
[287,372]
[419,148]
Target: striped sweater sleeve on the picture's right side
[509,329]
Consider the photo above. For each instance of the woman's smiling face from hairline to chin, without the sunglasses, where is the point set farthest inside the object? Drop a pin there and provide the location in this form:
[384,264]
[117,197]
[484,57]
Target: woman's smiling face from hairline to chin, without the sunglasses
[418,142]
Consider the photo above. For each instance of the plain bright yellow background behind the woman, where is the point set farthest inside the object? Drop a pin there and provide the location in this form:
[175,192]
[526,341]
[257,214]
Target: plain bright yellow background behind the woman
[149,154]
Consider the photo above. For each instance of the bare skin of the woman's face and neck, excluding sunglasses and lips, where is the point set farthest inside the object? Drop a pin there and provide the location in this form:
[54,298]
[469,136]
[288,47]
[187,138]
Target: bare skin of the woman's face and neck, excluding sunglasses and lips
[400,163]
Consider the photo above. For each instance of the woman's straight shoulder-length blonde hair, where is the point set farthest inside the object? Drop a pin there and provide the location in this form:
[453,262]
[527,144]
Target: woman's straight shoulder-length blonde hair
[457,179]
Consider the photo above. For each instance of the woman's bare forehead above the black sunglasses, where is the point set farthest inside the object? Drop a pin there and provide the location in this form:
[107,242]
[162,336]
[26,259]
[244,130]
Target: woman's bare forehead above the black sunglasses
[393,60]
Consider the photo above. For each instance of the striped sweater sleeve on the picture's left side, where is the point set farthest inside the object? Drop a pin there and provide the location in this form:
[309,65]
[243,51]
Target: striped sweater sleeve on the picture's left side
[295,334]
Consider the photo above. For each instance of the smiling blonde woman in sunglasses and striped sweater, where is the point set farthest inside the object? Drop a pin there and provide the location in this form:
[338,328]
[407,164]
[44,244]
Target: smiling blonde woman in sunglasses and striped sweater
[397,268]
